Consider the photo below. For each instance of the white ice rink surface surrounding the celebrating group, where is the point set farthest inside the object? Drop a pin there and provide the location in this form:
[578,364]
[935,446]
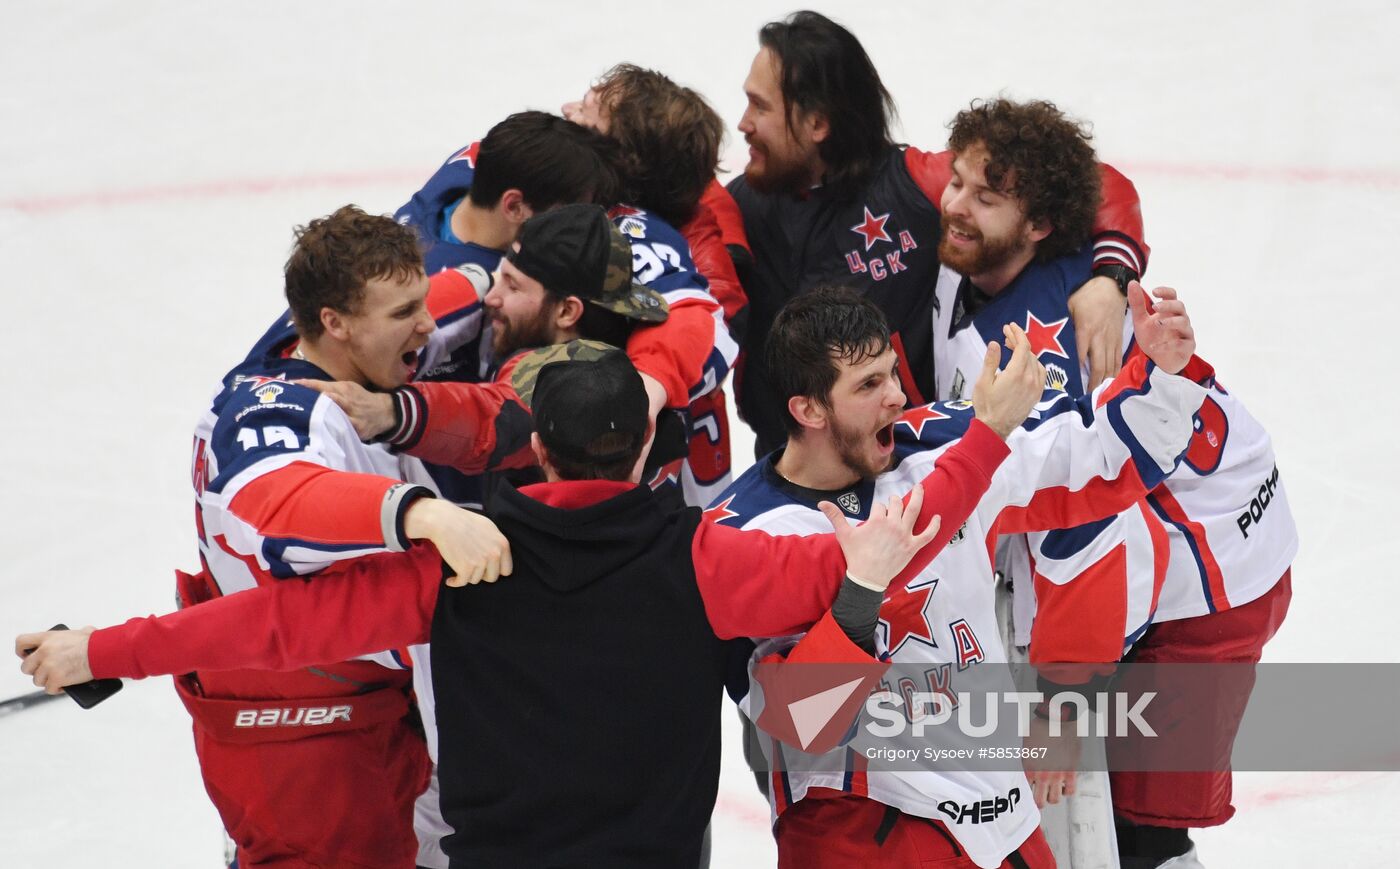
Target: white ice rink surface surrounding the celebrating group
[156,156]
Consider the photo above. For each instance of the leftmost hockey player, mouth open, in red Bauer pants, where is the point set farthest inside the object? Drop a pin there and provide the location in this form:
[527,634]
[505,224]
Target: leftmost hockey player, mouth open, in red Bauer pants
[283,489]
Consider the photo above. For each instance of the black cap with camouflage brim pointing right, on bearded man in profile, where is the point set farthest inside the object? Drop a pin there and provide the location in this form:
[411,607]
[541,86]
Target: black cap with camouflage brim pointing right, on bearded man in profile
[577,251]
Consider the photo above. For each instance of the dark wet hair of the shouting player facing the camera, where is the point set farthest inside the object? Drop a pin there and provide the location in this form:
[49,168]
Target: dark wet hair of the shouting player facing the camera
[815,331]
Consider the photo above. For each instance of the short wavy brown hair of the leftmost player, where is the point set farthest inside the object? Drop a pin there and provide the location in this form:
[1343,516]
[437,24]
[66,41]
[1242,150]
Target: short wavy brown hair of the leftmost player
[335,257]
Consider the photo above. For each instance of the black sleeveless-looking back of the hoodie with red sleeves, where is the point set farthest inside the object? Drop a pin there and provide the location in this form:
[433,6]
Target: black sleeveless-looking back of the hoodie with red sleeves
[583,695]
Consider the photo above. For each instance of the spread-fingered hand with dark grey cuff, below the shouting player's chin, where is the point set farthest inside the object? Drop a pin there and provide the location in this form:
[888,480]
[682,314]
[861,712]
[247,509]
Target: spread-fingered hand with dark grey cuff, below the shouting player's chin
[880,548]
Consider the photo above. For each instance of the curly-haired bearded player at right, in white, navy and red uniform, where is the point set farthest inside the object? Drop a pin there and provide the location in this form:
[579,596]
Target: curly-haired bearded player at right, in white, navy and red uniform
[1168,576]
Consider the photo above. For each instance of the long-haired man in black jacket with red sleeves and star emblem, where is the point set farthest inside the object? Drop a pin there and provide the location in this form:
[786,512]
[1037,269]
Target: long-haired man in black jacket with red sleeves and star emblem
[829,199]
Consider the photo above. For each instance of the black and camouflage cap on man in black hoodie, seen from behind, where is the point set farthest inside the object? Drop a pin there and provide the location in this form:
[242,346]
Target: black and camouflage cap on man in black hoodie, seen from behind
[579,393]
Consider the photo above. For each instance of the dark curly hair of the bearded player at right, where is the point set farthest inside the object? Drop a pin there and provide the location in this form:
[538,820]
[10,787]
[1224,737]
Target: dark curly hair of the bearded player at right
[1041,157]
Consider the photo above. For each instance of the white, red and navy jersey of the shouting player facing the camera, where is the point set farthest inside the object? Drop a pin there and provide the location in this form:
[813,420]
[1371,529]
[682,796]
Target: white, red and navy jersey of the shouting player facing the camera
[1070,462]
